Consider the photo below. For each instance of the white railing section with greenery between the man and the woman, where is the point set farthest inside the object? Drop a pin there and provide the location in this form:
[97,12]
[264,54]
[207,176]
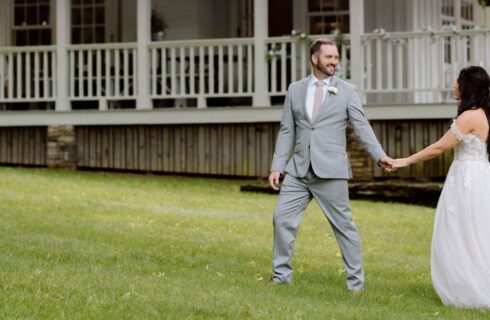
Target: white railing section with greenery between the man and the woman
[422,66]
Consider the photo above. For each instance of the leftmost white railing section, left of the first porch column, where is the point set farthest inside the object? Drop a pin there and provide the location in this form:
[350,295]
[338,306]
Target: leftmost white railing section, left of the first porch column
[27,74]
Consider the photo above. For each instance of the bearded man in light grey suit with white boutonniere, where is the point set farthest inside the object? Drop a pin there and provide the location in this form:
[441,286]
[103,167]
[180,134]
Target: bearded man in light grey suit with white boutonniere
[311,149]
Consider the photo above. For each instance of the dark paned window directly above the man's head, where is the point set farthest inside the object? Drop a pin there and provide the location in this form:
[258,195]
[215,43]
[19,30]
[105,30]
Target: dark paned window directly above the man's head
[325,16]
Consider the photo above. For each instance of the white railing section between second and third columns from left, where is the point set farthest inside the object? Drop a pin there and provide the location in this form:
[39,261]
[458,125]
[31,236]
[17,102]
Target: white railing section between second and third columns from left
[201,69]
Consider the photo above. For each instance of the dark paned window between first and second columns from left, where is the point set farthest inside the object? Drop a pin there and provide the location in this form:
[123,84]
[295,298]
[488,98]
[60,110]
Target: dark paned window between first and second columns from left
[88,21]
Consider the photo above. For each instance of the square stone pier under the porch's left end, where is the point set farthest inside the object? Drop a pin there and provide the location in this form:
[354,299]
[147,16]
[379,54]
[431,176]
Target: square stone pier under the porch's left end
[62,147]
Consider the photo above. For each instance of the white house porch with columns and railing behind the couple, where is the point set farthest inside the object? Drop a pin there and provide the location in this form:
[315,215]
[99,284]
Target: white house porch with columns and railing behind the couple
[104,62]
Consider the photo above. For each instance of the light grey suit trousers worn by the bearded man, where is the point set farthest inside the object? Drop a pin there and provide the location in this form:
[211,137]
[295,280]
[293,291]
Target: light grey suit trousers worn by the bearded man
[332,196]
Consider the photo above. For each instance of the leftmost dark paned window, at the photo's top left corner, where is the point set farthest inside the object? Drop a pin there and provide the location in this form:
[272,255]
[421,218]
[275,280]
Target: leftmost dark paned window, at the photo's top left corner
[31,23]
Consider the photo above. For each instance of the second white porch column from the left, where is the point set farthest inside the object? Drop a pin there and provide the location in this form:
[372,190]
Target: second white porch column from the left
[143,36]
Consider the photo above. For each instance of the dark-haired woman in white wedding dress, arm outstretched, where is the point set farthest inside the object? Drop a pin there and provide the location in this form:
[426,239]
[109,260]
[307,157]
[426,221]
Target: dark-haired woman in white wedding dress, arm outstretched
[460,255]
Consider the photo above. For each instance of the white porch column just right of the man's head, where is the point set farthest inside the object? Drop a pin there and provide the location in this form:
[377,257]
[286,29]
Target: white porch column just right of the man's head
[356,20]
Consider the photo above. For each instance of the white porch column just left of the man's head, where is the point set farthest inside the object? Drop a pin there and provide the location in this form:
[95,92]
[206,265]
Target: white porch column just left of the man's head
[261,32]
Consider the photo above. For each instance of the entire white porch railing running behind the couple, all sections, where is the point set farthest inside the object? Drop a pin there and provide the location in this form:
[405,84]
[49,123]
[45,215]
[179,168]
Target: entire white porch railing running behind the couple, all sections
[404,67]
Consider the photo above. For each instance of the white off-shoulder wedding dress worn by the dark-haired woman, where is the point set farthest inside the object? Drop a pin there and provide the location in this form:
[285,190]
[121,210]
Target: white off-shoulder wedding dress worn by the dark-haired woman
[460,257]
